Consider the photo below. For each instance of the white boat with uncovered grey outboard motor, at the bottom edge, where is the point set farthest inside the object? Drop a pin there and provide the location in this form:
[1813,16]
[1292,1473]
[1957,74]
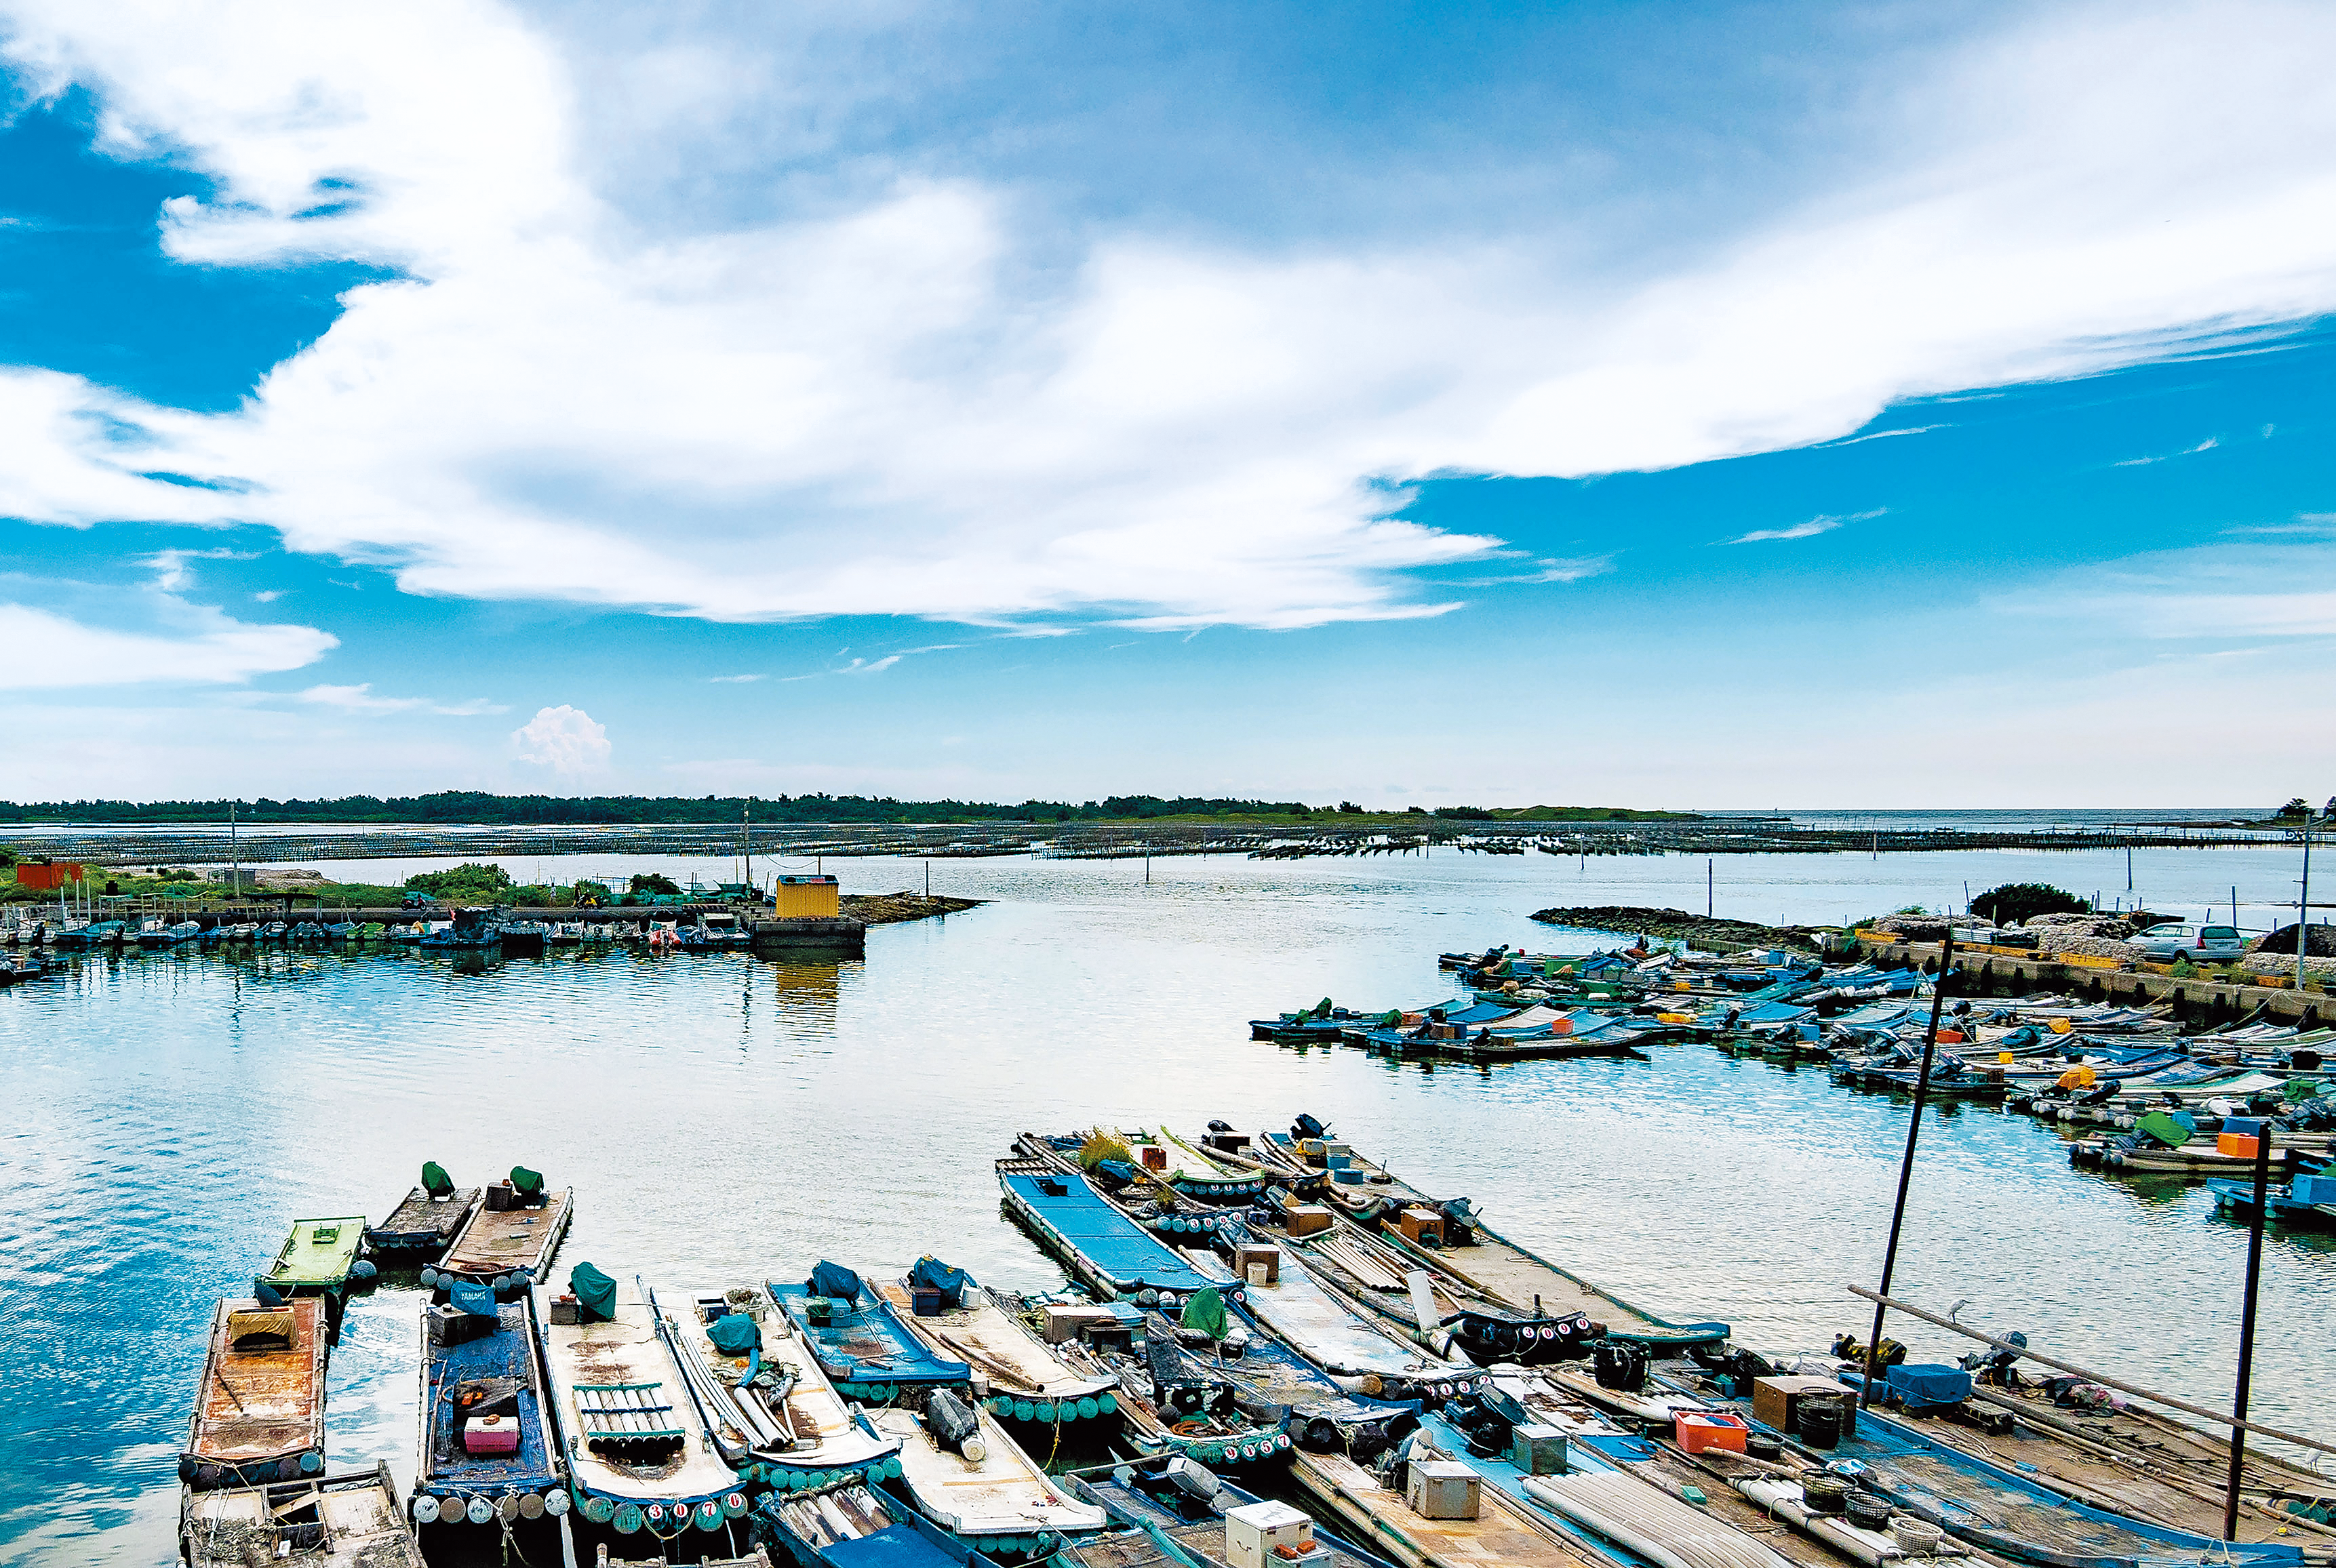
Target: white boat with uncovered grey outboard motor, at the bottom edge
[989,1494]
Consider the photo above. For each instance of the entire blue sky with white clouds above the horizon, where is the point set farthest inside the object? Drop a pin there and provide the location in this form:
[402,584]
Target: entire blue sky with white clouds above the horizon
[1725,408]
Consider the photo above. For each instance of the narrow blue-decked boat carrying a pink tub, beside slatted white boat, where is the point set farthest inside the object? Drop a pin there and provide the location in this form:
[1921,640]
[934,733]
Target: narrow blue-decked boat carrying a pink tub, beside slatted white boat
[487,1448]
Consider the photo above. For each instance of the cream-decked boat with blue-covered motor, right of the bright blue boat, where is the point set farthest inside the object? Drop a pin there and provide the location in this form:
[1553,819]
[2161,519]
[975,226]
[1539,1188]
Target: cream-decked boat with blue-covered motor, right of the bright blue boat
[1029,1385]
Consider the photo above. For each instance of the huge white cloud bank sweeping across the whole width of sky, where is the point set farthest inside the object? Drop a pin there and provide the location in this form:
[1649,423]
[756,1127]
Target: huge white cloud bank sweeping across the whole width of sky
[924,405]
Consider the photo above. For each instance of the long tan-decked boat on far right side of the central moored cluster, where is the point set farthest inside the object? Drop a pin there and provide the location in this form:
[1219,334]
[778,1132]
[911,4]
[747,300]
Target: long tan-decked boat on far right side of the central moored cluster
[1478,1256]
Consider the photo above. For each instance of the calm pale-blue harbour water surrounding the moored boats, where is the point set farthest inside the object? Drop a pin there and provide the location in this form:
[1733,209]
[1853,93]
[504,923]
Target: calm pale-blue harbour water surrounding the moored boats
[728,1118]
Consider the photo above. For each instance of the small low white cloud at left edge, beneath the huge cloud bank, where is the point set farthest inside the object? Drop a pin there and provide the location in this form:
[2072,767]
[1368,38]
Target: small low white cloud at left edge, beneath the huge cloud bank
[193,646]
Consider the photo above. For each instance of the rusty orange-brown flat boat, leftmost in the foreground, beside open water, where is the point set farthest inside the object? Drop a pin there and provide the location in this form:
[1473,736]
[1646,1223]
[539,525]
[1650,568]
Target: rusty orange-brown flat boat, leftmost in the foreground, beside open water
[260,1408]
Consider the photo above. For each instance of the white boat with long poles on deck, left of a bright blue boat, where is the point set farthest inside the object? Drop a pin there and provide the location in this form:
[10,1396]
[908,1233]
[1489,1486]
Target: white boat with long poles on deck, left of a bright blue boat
[763,1396]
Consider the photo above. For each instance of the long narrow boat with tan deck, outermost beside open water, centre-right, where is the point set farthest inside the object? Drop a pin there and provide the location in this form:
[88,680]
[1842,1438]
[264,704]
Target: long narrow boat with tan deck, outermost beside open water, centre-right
[1480,1258]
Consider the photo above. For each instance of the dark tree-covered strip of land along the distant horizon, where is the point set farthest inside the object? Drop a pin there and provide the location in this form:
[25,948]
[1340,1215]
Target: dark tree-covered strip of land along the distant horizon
[644,810]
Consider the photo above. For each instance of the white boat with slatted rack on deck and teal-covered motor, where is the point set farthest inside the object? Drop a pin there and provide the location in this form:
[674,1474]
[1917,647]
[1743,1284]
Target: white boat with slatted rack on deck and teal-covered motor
[639,1452]
